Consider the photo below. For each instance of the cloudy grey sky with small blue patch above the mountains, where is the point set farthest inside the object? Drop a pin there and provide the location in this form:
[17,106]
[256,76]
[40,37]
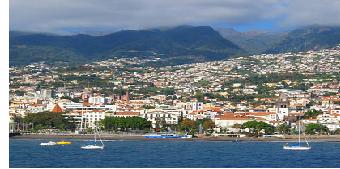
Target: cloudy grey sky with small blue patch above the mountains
[102,16]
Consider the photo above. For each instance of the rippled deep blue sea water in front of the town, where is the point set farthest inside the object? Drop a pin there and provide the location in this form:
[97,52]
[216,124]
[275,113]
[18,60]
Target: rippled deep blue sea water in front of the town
[159,154]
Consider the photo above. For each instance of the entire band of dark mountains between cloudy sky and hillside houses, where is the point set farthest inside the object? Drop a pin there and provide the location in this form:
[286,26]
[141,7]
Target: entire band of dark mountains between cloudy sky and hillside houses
[183,44]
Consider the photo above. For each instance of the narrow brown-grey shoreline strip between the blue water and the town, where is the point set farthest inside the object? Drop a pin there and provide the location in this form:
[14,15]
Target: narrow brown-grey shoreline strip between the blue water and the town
[289,138]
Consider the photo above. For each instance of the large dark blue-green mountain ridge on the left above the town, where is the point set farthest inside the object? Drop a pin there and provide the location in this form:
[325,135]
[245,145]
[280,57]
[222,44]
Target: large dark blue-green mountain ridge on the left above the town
[179,41]
